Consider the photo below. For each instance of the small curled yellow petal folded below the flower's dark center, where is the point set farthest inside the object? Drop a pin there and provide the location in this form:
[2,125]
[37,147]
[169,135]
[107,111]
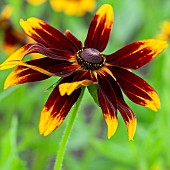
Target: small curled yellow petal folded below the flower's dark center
[68,88]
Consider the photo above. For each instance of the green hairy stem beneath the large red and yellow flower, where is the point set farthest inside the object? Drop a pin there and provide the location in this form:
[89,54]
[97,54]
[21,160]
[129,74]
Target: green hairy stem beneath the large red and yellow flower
[64,140]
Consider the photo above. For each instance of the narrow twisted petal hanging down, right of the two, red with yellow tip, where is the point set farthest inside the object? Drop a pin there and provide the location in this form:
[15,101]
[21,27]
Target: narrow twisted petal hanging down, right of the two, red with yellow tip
[126,112]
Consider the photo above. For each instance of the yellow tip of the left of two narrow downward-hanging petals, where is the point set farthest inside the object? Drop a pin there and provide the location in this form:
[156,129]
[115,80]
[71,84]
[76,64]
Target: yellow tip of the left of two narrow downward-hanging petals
[112,123]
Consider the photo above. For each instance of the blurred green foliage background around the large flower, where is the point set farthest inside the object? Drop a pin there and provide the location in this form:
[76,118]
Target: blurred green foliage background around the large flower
[21,145]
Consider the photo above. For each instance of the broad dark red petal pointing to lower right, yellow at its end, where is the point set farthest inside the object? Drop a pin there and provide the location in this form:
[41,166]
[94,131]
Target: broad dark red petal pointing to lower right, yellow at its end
[138,90]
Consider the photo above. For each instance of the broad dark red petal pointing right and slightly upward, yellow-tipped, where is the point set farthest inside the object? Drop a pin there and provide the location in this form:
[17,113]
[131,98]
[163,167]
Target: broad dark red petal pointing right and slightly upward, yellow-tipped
[137,54]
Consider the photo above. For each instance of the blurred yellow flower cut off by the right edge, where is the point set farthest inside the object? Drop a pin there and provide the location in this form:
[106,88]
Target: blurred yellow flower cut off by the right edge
[165,31]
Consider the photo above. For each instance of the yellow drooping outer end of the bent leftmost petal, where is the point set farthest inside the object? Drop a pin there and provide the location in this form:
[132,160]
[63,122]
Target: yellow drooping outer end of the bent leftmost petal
[12,61]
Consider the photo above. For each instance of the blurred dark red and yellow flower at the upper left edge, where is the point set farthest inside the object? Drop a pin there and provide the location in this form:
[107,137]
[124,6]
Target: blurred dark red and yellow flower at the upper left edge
[12,37]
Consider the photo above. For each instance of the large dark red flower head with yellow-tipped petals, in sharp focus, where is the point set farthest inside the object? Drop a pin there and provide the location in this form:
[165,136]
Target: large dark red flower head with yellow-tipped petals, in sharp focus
[86,65]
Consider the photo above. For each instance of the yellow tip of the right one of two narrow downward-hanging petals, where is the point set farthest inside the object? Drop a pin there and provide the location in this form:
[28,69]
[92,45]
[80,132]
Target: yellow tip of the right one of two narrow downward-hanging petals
[131,127]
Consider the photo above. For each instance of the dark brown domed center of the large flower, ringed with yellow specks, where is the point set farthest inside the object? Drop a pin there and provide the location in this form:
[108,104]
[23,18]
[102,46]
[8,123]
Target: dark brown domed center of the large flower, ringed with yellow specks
[90,59]
